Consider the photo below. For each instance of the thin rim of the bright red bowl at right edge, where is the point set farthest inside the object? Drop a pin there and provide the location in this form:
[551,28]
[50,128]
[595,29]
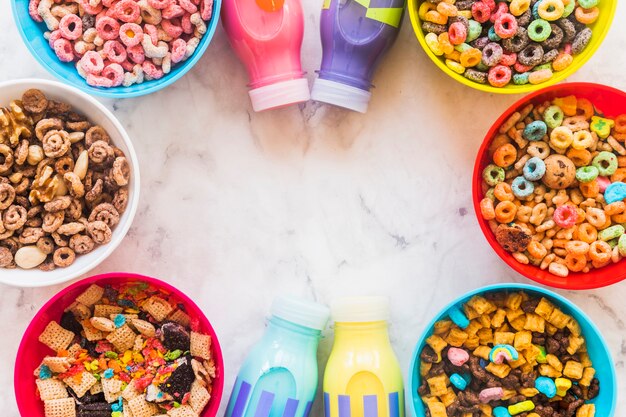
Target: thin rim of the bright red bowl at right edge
[477,193]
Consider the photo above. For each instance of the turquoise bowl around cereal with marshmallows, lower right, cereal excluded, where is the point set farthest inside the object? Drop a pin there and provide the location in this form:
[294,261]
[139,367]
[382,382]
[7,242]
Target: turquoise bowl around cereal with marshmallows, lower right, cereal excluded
[605,403]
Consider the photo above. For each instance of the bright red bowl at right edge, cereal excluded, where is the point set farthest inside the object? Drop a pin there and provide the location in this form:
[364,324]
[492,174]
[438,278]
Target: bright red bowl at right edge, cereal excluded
[612,103]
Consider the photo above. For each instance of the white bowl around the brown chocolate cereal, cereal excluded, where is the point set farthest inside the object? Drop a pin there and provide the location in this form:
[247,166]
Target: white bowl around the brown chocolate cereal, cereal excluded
[97,114]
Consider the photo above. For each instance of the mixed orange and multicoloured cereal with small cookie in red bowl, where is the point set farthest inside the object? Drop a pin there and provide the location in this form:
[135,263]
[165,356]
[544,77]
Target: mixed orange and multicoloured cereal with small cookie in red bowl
[554,190]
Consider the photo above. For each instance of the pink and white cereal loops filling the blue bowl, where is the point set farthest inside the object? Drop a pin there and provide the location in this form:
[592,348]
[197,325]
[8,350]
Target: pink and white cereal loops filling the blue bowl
[123,42]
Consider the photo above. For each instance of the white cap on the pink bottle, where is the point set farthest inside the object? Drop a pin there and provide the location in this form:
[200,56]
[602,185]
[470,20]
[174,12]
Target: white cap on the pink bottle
[280,94]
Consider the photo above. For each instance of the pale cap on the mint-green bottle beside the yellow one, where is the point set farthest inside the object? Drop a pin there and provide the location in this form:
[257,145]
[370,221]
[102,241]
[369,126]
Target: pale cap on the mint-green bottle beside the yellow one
[300,311]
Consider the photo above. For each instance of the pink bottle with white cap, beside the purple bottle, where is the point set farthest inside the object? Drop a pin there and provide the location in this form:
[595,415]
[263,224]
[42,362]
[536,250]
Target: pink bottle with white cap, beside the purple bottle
[267,37]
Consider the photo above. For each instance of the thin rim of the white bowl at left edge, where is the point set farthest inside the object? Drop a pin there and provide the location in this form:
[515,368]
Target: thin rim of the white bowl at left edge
[122,229]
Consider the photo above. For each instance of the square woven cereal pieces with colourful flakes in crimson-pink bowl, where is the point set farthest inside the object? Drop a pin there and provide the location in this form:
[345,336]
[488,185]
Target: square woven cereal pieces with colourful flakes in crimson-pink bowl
[126,349]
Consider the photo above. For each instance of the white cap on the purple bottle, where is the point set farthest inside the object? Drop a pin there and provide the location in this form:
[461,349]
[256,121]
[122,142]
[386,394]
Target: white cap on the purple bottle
[341,95]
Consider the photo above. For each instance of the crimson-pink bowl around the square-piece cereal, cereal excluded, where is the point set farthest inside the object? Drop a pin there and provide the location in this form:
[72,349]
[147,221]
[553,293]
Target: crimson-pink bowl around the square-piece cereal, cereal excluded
[31,352]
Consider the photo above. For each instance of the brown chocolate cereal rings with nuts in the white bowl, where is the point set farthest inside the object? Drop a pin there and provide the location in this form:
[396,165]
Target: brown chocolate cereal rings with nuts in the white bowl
[63,184]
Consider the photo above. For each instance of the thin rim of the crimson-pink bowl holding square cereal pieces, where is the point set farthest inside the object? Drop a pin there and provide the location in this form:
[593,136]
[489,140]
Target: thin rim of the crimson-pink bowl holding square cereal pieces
[218,390]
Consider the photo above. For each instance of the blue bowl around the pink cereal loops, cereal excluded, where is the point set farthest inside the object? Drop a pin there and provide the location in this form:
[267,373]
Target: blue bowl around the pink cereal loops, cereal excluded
[32,34]
